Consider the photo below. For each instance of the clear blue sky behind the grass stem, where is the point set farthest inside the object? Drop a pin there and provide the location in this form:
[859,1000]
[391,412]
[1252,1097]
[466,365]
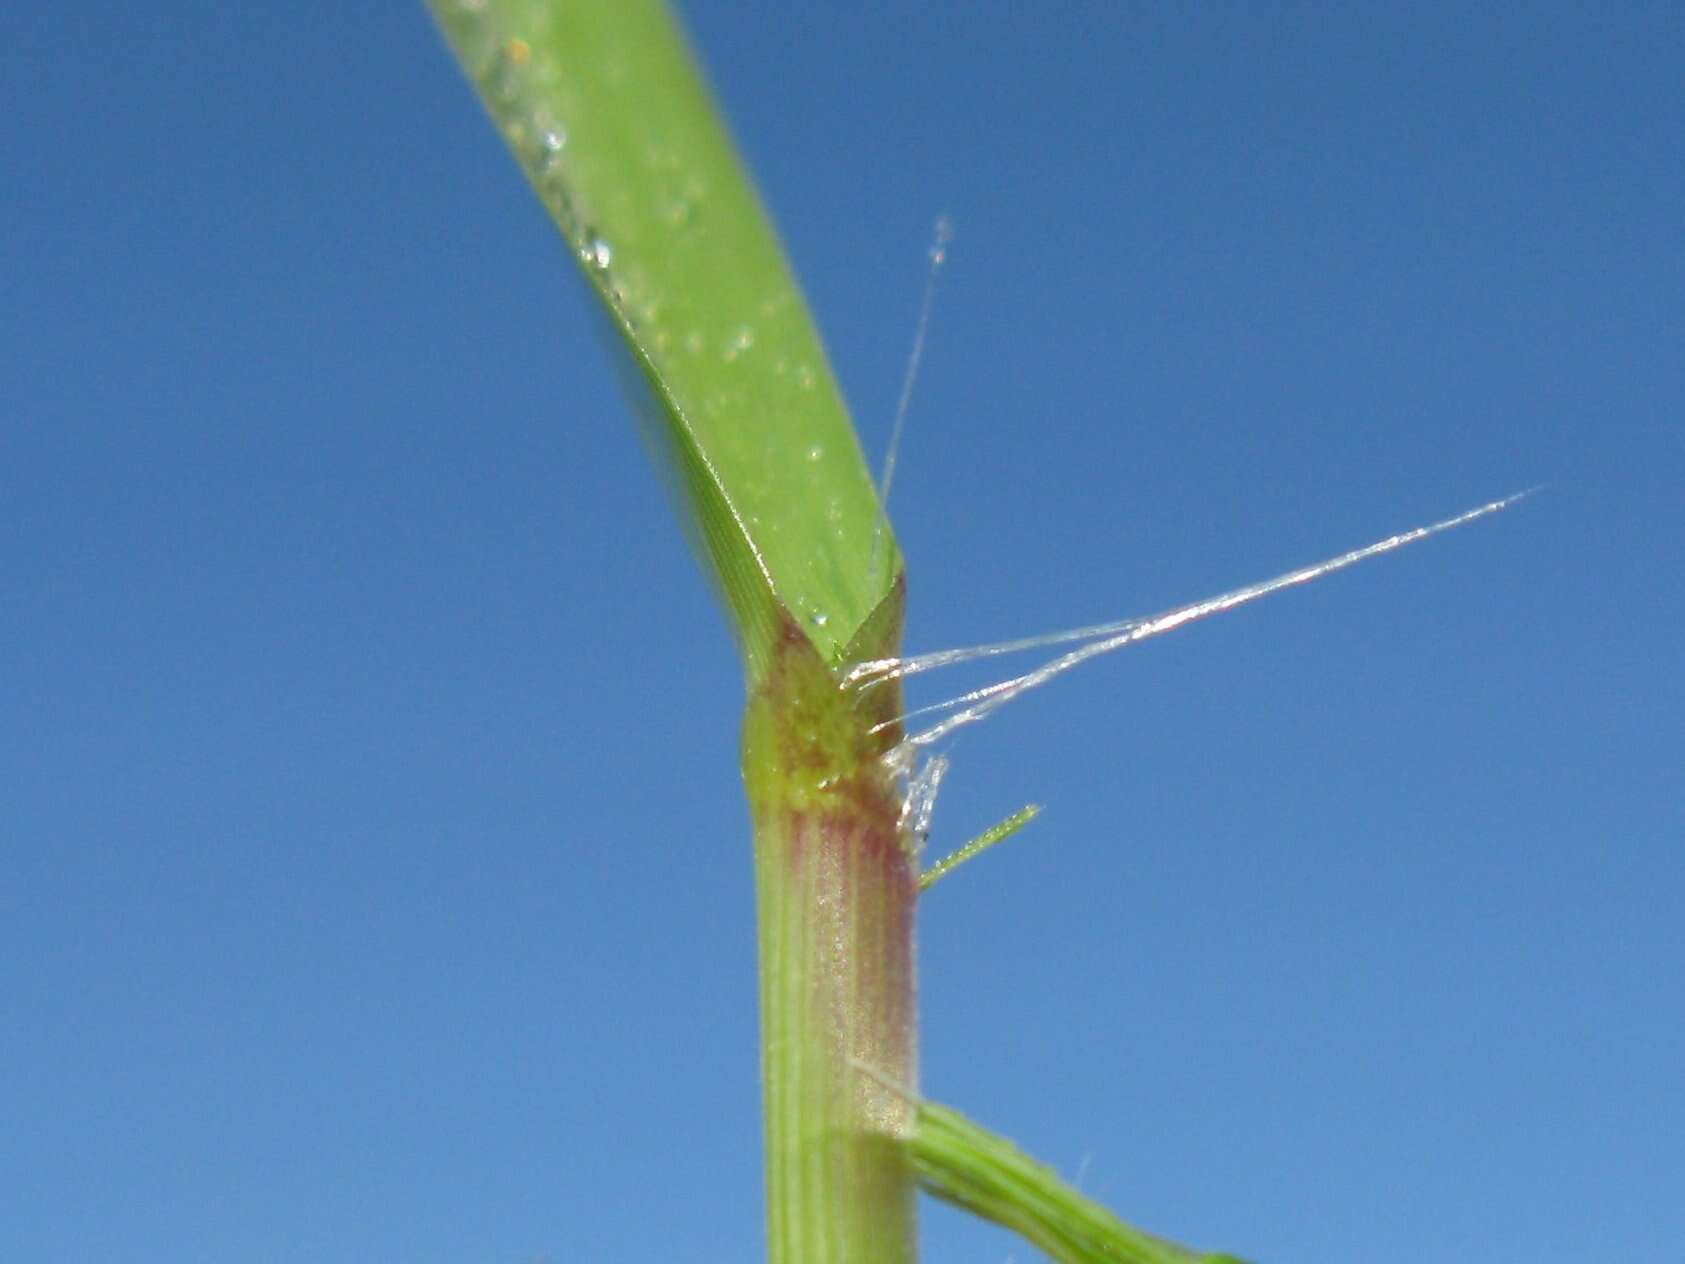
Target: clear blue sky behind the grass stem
[373,865]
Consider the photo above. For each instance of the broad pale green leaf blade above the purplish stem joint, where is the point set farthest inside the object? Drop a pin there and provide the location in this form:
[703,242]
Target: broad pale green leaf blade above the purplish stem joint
[607,114]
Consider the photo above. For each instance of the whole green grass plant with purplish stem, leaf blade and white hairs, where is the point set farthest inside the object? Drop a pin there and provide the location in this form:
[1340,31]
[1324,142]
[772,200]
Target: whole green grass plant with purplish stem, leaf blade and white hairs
[607,114]
